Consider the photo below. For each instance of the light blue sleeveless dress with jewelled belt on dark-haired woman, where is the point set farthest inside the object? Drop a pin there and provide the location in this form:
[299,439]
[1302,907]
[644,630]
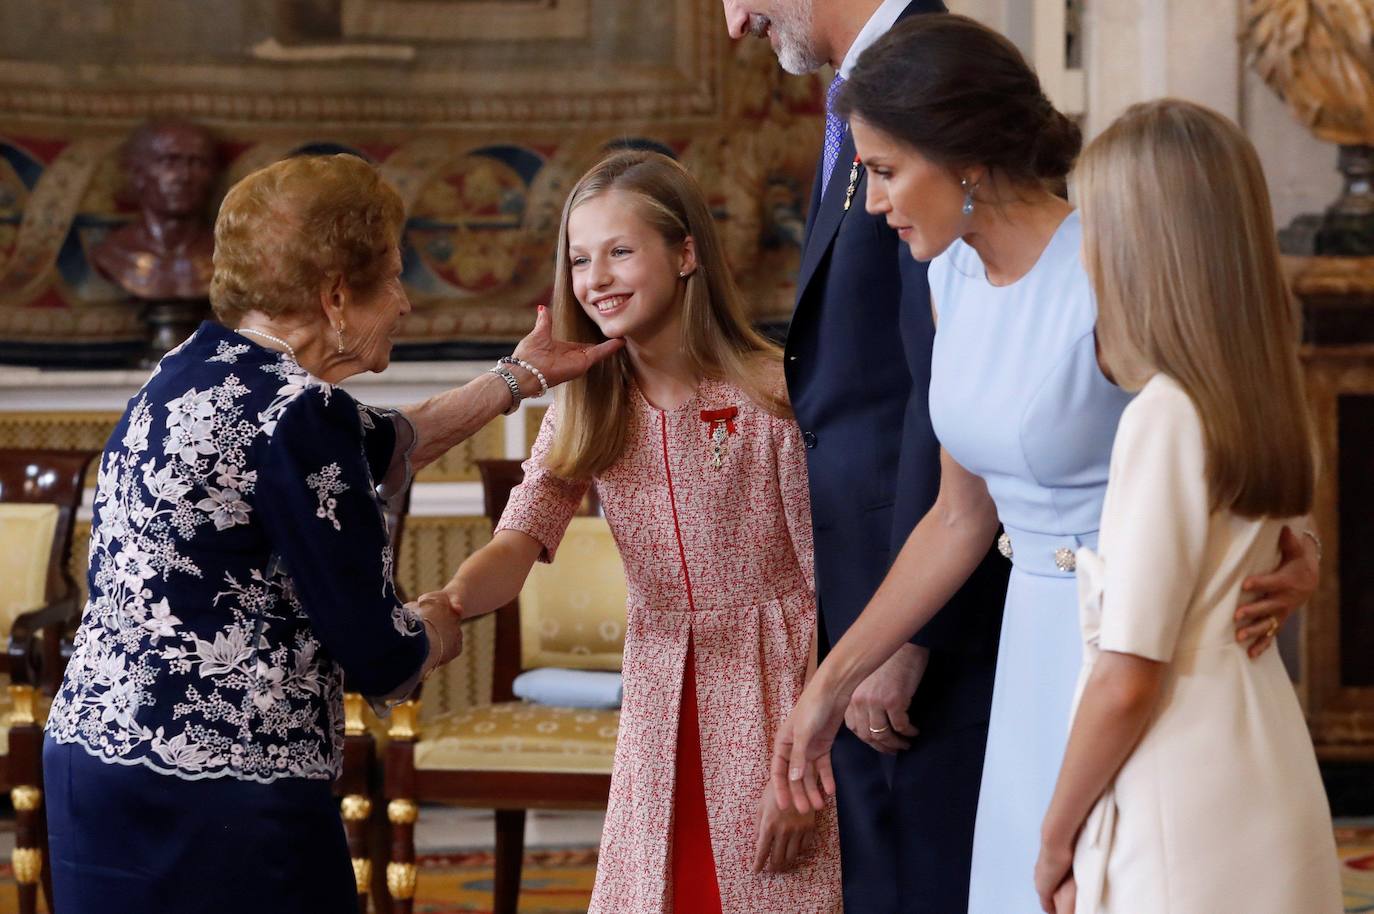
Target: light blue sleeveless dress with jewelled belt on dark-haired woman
[1019,399]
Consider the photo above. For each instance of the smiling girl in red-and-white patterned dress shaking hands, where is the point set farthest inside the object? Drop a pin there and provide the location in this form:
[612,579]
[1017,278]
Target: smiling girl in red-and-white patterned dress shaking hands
[701,473]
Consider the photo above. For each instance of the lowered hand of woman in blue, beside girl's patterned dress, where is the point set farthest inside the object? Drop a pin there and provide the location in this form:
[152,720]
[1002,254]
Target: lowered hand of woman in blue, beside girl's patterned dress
[802,773]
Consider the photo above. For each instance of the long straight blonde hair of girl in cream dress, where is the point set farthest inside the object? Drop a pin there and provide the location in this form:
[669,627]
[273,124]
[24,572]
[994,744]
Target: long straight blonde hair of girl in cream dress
[1180,244]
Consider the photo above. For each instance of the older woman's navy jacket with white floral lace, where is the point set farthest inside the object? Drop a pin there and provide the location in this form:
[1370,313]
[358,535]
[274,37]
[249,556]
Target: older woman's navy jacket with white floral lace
[240,568]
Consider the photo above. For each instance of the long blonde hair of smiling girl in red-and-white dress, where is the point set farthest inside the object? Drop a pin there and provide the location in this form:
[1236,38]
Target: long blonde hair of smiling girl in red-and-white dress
[718,339]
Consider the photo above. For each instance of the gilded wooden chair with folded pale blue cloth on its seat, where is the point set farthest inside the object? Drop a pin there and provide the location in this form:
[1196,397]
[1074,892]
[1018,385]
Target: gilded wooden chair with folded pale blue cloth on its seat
[512,757]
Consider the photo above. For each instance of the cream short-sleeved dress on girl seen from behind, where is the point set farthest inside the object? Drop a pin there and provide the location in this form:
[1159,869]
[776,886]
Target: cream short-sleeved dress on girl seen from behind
[1221,807]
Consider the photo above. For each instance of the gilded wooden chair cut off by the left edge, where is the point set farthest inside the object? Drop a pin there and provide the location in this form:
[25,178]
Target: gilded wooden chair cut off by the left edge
[41,495]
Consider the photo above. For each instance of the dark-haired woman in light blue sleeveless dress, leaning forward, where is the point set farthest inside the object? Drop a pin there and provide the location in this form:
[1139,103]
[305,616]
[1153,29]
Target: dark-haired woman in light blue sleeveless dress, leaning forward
[964,155]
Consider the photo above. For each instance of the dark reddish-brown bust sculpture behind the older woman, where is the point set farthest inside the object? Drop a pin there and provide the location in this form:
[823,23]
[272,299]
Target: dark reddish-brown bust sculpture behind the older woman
[167,252]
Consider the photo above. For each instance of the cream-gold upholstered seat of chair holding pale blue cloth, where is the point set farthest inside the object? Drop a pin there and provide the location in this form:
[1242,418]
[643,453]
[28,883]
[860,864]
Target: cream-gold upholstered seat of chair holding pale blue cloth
[519,736]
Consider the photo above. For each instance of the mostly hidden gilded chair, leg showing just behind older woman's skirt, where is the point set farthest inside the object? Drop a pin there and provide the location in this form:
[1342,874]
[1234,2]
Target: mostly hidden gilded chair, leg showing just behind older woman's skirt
[361,781]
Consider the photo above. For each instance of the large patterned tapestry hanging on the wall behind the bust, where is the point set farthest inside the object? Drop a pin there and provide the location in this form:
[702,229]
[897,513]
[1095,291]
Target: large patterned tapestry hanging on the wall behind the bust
[482,113]
